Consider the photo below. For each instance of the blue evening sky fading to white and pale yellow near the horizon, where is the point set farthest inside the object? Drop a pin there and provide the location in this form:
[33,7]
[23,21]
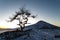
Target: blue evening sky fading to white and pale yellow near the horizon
[47,10]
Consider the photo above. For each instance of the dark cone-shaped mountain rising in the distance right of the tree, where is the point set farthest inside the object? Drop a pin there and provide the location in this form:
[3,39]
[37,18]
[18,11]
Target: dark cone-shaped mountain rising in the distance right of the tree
[43,25]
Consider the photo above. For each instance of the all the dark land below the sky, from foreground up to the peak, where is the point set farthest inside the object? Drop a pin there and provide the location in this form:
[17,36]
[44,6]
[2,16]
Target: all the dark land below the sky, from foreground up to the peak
[39,31]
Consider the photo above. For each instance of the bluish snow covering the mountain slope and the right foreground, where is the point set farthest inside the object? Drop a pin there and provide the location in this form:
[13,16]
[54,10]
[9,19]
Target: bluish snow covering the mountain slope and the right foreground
[35,33]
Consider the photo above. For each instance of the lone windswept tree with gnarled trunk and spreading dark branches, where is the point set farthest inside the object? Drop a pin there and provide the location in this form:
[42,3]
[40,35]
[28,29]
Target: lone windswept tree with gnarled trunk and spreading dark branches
[22,16]
